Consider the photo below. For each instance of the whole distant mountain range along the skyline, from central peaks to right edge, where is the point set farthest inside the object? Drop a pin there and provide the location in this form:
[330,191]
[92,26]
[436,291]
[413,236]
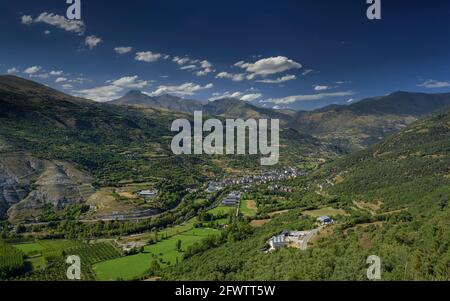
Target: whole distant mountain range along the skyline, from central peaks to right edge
[351,127]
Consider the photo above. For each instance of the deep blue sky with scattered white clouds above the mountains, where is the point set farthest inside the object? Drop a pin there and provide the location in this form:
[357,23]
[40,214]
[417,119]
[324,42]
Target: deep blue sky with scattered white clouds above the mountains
[284,54]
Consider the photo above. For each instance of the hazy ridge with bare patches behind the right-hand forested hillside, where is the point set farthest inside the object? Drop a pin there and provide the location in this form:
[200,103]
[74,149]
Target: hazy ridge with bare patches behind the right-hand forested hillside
[366,122]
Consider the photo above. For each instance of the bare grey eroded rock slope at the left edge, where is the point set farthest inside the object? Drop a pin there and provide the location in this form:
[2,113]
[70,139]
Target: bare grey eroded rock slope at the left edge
[27,184]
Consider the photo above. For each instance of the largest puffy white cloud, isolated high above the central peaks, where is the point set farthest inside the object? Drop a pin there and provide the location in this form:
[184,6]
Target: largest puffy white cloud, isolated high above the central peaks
[268,66]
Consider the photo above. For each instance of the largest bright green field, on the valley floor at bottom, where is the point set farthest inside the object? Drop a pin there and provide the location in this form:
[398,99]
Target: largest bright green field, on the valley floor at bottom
[135,266]
